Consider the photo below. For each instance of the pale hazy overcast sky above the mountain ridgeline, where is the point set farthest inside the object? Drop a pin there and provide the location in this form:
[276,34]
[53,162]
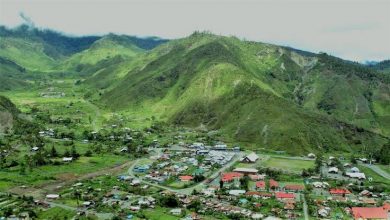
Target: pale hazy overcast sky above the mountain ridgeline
[352,29]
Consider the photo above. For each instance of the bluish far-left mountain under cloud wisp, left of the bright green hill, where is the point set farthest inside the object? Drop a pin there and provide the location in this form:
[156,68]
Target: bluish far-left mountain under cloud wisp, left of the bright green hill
[39,49]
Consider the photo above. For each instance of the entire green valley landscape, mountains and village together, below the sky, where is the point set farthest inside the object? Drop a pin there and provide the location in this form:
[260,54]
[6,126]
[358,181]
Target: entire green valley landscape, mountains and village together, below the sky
[203,127]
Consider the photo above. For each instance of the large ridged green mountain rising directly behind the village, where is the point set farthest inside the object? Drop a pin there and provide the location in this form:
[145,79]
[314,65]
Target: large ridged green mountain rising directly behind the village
[259,94]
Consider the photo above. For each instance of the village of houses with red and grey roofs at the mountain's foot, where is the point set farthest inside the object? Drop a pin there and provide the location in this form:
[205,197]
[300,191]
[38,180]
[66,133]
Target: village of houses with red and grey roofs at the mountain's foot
[199,180]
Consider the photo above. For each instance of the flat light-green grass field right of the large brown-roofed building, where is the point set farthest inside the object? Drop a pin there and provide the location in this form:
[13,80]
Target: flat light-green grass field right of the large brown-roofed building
[288,164]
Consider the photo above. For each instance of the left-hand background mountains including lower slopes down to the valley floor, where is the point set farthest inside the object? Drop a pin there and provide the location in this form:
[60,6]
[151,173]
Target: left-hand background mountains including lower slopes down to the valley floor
[27,52]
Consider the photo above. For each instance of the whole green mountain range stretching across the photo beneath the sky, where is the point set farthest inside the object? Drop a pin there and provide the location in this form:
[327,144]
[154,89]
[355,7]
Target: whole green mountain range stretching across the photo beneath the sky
[258,94]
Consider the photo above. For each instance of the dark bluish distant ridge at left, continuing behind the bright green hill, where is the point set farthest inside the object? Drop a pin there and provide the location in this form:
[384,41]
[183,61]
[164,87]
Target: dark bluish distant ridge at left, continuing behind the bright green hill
[43,49]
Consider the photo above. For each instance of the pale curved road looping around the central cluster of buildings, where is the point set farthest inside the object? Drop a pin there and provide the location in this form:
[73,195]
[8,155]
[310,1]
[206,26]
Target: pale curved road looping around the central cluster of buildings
[188,190]
